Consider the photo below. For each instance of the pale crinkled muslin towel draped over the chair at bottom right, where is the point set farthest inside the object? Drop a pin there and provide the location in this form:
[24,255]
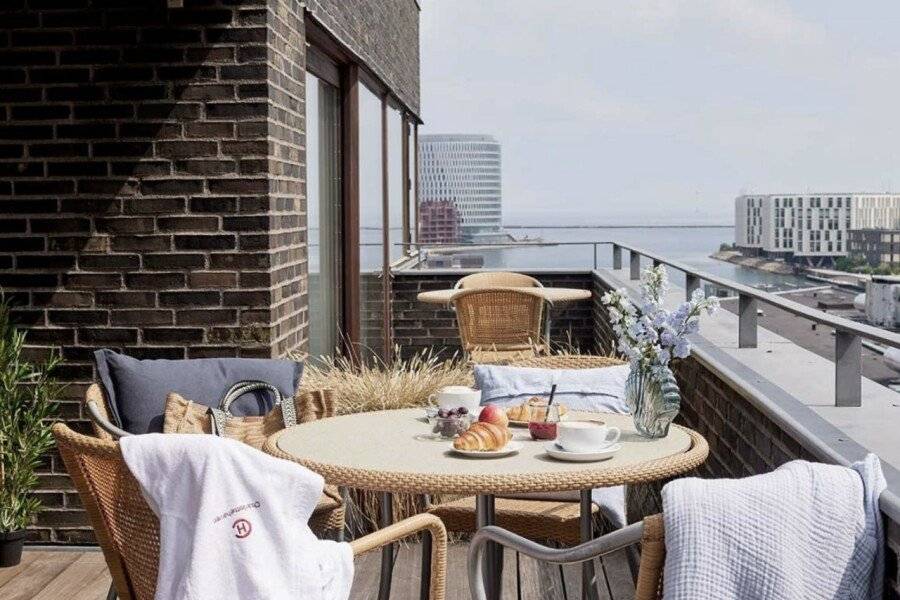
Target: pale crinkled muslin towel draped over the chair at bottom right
[805,530]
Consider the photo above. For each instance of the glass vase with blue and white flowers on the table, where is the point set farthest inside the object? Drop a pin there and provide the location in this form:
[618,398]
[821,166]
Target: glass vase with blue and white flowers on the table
[652,337]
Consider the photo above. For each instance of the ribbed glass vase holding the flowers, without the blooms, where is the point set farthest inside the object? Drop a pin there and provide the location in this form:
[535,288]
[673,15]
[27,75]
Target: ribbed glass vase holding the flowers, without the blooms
[654,400]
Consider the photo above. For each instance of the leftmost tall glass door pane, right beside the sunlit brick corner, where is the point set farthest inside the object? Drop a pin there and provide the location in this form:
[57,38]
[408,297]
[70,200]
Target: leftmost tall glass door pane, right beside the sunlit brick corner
[323,193]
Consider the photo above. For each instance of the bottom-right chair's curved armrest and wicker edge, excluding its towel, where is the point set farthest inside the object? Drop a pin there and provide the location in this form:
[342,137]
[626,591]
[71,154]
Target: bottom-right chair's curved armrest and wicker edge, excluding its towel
[650,534]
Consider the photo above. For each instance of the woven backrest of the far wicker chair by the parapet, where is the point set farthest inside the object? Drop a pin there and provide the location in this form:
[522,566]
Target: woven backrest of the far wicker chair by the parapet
[498,319]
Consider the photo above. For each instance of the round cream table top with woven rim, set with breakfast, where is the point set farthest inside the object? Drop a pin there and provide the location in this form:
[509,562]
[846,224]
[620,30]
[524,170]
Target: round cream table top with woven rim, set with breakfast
[387,451]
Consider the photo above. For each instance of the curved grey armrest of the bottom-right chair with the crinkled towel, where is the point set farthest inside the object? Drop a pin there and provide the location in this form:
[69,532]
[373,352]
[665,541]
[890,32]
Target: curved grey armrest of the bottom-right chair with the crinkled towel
[611,542]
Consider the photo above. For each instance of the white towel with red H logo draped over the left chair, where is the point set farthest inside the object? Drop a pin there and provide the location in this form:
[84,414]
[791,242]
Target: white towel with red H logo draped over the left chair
[233,521]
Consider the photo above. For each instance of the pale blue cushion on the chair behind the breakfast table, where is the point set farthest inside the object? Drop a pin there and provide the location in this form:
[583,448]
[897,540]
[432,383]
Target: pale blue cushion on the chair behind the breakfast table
[595,390]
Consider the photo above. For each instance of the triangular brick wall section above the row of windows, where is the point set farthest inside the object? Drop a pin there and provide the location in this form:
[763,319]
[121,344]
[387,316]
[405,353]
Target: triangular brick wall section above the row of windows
[384,33]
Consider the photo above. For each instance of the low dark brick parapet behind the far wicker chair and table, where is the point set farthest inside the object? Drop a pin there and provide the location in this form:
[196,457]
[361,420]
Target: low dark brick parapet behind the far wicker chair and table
[419,326]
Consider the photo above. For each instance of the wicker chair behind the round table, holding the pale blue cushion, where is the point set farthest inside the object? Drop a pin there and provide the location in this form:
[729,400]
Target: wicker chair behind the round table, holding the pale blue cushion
[534,516]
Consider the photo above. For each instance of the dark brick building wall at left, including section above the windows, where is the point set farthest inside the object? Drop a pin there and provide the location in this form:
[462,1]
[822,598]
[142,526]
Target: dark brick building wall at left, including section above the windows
[152,192]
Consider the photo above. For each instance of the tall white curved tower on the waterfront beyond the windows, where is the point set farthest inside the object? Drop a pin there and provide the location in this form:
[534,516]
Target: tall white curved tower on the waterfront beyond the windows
[464,169]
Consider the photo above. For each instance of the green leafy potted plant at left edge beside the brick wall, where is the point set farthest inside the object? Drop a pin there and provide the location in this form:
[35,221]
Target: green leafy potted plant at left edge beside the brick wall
[28,396]
